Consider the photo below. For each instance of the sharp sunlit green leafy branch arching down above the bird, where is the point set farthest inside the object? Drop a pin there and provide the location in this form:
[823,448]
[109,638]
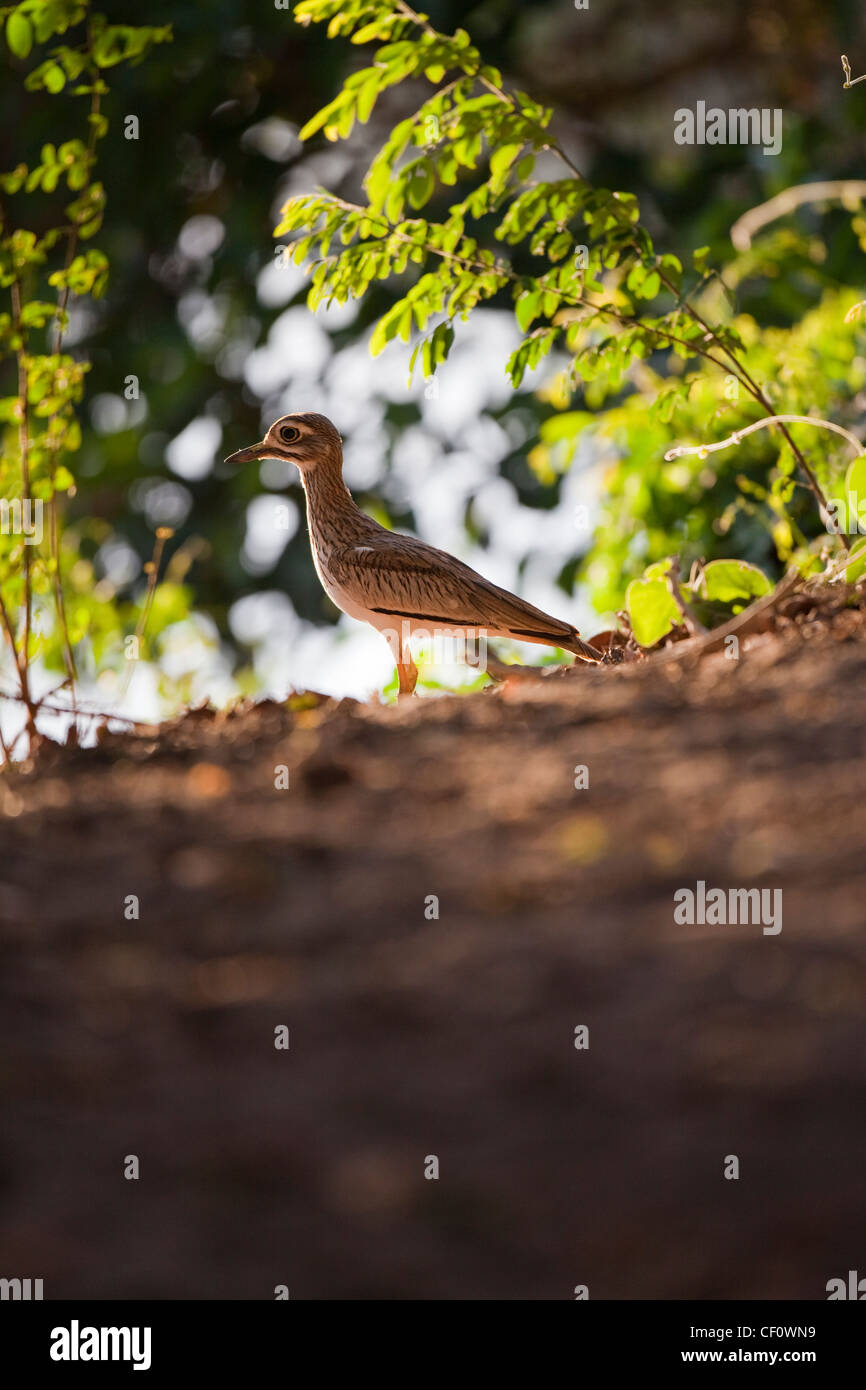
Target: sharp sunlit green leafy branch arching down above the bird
[601,293]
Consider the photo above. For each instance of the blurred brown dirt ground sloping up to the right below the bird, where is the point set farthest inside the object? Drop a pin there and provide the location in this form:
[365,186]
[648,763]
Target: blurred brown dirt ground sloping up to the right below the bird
[415,1036]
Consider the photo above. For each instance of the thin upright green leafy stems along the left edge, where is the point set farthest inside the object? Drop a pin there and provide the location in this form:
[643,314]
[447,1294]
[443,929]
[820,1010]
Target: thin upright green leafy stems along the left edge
[51,206]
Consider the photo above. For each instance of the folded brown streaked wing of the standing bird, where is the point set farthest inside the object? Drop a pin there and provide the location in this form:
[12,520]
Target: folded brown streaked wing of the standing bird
[405,578]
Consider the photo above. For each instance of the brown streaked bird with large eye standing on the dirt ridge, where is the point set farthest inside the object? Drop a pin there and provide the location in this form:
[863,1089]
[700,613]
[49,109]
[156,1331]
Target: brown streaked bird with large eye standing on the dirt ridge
[397,583]
